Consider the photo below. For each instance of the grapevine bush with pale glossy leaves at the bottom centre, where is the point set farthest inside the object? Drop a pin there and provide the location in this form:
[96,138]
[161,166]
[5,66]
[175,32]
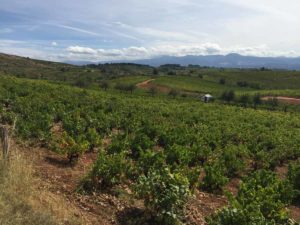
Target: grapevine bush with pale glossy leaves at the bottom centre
[164,194]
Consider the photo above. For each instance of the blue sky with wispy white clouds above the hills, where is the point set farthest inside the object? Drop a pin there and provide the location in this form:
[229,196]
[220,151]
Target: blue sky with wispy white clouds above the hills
[100,30]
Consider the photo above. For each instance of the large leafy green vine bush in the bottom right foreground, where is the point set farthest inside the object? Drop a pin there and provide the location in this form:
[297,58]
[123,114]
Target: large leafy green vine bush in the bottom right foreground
[261,199]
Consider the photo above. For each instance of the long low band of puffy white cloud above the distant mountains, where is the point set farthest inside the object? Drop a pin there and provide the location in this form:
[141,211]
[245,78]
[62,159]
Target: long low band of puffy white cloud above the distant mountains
[132,53]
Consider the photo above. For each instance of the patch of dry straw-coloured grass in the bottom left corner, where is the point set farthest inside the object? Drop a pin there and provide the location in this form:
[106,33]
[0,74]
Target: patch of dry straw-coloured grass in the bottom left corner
[21,202]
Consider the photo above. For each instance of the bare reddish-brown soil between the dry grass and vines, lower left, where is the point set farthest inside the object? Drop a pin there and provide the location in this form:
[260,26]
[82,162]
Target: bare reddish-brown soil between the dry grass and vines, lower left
[61,179]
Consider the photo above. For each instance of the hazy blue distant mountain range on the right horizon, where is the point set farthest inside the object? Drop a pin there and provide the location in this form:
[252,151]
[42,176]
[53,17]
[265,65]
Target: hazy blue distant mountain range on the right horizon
[228,61]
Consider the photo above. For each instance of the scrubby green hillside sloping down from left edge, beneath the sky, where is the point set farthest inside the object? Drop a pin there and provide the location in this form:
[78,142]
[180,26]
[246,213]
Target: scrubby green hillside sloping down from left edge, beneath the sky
[61,72]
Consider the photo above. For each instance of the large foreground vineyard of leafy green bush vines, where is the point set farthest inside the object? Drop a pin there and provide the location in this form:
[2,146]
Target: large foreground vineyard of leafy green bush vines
[164,149]
